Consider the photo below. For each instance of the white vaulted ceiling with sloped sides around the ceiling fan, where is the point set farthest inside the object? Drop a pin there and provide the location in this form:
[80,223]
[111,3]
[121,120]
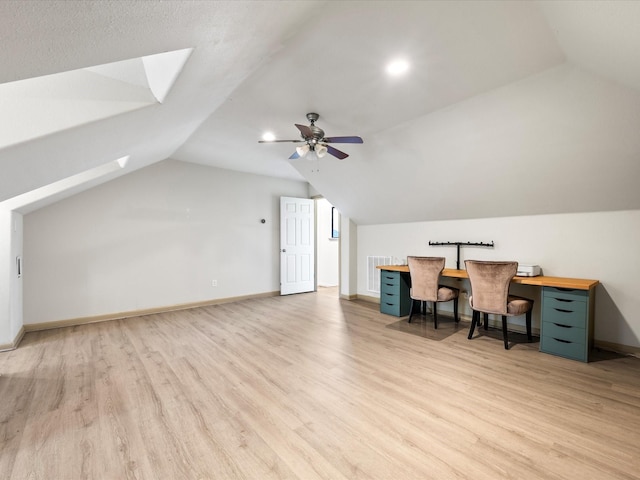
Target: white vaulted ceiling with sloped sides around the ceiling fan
[509,108]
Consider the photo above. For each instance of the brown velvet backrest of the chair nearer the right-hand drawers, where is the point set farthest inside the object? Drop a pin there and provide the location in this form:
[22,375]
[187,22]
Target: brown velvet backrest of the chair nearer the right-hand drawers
[490,284]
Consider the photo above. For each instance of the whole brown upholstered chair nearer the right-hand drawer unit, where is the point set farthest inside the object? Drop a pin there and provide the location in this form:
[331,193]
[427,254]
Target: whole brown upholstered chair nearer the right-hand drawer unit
[490,295]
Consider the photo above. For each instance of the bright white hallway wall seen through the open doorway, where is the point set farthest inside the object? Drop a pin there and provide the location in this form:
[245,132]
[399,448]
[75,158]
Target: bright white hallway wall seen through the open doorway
[327,247]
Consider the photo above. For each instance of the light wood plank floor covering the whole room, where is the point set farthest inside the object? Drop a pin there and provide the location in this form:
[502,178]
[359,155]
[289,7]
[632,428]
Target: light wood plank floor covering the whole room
[309,387]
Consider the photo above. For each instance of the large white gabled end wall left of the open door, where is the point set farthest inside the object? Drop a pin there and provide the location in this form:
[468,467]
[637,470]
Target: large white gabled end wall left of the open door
[156,237]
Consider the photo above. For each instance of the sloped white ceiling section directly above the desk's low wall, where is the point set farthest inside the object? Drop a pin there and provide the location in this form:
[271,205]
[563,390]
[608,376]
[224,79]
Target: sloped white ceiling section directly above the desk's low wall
[563,141]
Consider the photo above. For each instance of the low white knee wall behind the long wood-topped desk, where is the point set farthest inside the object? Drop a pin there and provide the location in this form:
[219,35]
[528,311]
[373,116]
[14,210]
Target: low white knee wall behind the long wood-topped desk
[602,246]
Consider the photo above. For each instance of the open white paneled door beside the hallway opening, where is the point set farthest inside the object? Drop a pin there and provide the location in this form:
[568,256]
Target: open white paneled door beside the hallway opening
[296,245]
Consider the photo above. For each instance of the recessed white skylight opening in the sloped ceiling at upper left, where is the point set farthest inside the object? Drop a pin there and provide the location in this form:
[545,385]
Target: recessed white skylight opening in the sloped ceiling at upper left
[40,106]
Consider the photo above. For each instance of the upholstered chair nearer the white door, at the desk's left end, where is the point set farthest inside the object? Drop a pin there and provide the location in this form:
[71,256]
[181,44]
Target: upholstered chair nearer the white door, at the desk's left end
[425,275]
